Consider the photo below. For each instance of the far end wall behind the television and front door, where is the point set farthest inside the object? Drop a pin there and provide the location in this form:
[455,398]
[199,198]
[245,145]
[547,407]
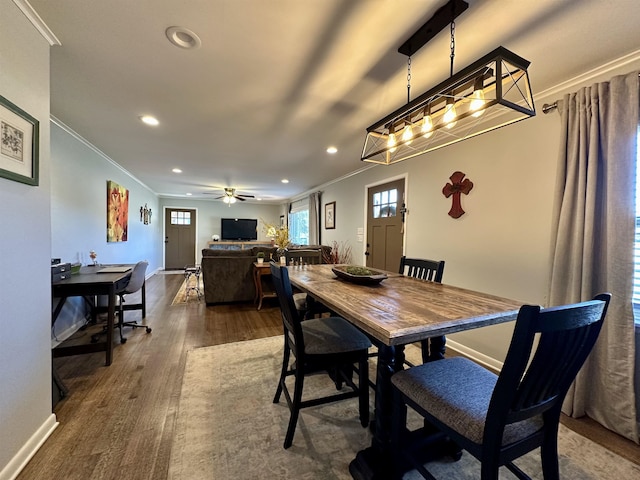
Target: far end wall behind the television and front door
[209,213]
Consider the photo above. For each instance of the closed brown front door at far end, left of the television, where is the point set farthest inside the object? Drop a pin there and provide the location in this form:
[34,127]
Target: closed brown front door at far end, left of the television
[180,238]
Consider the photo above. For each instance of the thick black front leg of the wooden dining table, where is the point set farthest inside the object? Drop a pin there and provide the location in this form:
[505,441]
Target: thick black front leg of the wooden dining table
[375,462]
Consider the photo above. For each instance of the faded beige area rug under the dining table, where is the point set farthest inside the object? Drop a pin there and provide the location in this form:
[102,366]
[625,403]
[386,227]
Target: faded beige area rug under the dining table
[228,427]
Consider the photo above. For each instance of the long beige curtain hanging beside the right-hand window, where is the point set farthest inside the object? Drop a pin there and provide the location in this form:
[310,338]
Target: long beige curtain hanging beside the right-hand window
[594,225]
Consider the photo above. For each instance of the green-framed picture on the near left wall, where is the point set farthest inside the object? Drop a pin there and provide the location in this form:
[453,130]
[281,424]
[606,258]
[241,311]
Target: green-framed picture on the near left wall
[19,146]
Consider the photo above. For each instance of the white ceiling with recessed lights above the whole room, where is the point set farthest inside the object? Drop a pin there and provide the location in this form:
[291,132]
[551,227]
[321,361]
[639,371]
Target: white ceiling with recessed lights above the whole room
[276,82]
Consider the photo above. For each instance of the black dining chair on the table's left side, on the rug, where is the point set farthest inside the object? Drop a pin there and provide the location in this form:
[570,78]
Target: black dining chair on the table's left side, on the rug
[329,344]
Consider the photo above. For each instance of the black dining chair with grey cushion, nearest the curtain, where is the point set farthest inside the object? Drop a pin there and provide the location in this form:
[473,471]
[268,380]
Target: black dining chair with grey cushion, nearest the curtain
[497,419]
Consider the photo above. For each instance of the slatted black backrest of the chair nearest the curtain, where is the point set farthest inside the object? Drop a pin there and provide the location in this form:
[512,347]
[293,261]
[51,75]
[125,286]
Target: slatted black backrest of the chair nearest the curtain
[567,335]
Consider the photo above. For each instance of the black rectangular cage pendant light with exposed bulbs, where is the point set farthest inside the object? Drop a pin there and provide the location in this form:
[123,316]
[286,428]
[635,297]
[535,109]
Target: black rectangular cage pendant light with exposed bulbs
[492,92]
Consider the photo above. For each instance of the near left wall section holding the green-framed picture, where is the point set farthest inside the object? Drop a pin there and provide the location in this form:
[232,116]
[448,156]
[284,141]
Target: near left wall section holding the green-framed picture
[25,275]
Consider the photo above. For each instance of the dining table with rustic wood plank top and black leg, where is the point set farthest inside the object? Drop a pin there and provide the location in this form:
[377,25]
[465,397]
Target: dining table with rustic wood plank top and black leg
[398,311]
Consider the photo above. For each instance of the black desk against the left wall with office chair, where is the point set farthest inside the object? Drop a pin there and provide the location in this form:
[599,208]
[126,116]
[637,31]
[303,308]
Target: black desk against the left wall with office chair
[90,283]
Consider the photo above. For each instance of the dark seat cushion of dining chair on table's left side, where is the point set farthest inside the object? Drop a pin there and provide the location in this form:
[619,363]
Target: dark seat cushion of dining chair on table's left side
[332,335]
